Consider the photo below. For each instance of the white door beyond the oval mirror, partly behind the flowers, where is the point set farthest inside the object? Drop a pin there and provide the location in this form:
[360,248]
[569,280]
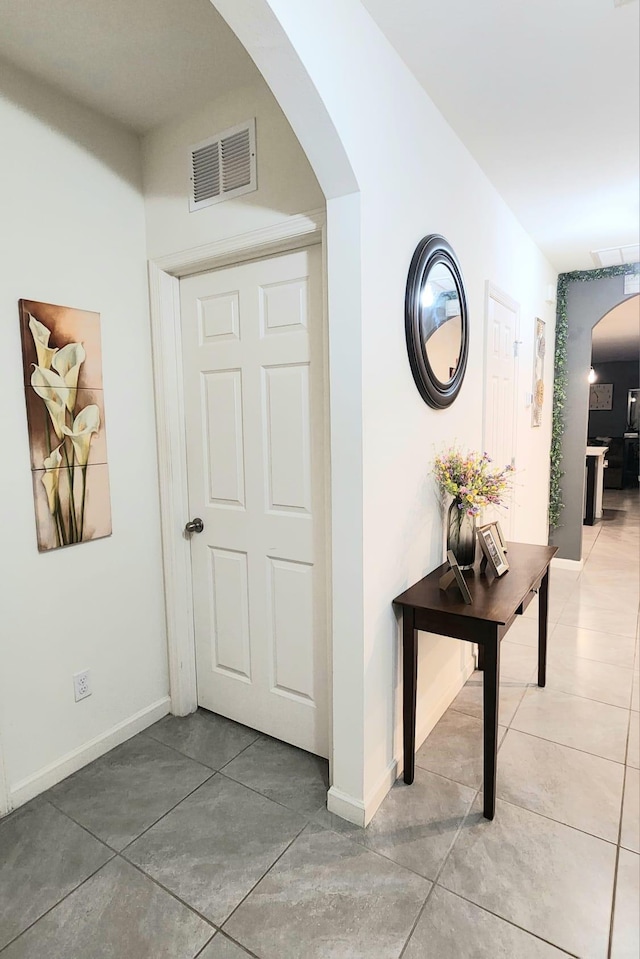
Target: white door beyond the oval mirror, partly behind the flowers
[500,390]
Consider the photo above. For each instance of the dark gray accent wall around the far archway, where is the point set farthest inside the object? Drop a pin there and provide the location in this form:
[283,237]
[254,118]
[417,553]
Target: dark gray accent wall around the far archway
[587,303]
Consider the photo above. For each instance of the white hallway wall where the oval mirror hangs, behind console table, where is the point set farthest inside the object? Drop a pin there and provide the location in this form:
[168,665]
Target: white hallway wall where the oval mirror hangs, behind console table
[415,177]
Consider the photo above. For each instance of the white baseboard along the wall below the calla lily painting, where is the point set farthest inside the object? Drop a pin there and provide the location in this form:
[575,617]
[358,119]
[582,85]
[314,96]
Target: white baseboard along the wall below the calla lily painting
[47,777]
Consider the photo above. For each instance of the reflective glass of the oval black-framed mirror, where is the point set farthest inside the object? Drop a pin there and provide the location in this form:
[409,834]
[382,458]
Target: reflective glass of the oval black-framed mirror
[440,322]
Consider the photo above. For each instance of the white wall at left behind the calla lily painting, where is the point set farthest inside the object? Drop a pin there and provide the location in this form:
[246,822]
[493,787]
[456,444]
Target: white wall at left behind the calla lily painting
[73,233]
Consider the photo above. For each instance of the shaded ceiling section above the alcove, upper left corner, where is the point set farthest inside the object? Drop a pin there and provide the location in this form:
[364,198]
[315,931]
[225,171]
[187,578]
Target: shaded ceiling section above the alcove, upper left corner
[138,61]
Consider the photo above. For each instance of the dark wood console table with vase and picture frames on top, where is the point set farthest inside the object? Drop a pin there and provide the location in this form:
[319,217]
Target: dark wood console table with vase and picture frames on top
[496,603]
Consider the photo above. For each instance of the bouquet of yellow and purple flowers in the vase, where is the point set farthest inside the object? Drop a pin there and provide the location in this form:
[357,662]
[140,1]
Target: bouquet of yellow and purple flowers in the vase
[470,479]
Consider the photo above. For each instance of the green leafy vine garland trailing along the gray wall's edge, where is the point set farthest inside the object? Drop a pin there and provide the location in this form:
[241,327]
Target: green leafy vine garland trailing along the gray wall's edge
[560,376]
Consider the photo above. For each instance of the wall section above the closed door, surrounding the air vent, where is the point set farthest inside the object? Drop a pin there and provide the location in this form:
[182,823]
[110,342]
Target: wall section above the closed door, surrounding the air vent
[286,182]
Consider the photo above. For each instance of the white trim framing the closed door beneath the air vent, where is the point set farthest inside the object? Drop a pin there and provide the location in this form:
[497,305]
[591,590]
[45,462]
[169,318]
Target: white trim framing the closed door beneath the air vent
[165,272]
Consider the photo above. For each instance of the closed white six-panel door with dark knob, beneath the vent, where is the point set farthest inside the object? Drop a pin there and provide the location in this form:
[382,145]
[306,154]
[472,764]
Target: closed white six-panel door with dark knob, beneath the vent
[255,421]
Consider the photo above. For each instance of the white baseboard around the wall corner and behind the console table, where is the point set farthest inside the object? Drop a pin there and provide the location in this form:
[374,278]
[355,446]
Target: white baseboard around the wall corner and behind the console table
[361,813]
